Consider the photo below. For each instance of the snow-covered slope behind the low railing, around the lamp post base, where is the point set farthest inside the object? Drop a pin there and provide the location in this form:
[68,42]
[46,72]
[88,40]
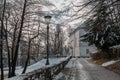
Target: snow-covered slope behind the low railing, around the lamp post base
[38,65]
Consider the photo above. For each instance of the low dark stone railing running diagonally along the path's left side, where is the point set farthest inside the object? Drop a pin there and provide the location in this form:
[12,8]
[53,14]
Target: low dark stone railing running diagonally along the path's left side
[46,73]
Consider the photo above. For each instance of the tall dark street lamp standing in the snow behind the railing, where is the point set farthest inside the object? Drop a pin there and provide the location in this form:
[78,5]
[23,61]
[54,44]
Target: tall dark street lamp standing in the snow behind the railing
[47,20]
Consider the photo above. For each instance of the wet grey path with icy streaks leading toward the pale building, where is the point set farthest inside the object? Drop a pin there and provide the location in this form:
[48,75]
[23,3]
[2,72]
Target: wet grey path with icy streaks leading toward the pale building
[85,70]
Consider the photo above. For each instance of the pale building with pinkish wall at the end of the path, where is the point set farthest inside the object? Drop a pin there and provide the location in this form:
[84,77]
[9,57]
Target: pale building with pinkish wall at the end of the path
[79,48]
